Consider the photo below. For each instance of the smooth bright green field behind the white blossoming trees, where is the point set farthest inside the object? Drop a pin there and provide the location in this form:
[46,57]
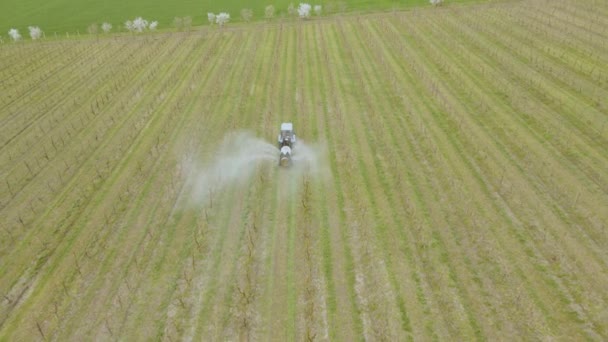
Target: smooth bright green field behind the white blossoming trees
[60,16]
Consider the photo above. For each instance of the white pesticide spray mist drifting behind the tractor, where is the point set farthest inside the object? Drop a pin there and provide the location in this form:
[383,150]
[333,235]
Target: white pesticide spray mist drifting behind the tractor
[236,161]
